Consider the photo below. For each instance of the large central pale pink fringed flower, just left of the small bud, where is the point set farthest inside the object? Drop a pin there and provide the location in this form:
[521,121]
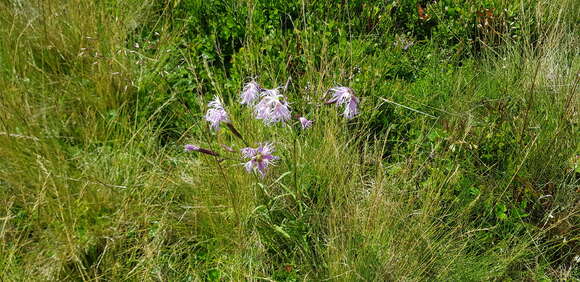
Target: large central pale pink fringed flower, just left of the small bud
[273,107]
